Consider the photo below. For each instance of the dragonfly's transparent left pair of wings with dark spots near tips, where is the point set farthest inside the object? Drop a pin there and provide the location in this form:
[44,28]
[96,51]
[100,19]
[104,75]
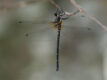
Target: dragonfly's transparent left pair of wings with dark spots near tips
[36,27]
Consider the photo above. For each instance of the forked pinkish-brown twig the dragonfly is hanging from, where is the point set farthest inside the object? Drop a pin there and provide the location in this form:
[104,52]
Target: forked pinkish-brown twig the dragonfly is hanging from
[79,10]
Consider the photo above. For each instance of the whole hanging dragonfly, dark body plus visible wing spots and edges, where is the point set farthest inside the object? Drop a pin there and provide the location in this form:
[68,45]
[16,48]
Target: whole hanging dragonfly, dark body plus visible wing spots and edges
[57,25]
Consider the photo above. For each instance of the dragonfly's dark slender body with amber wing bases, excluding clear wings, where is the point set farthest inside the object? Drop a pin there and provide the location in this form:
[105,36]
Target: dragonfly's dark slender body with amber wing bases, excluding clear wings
[57,24]
